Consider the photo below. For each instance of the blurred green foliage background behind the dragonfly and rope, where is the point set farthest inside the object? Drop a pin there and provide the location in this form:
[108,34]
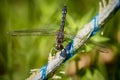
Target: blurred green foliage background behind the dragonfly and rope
[20,54]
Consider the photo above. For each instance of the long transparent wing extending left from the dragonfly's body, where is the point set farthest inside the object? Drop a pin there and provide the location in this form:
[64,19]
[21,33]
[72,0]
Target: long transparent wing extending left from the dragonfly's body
[33,32]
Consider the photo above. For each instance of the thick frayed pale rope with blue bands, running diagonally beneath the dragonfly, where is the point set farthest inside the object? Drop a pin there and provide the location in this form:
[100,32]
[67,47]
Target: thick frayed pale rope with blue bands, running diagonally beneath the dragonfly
[82,36]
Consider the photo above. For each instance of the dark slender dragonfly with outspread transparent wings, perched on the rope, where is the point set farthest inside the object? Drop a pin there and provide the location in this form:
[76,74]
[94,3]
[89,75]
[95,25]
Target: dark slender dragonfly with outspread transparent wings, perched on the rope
[60,35]
